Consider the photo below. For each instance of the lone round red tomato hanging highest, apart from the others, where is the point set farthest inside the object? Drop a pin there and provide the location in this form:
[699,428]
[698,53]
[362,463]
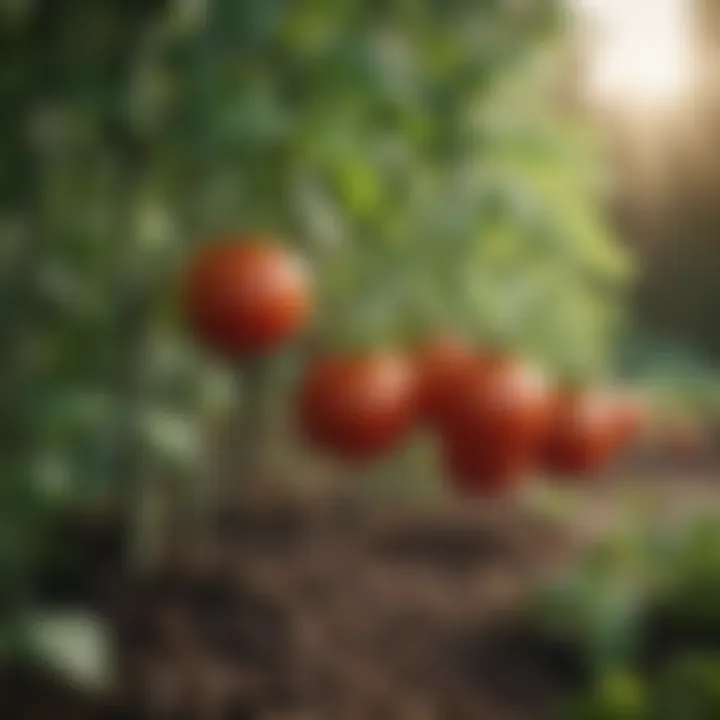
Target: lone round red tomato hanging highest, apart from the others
[244,298]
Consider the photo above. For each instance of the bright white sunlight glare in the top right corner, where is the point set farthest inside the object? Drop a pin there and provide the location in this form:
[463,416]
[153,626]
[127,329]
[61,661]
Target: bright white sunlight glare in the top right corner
[641,52]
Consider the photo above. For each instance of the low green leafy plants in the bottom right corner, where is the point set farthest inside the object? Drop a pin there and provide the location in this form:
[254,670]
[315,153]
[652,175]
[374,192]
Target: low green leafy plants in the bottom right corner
[606,604]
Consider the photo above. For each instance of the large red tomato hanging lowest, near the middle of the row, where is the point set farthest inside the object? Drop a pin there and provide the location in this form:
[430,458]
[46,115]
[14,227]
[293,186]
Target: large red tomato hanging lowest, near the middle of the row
[496,422]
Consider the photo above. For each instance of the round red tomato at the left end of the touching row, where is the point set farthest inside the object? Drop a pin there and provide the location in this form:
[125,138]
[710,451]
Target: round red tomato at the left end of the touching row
[358,406]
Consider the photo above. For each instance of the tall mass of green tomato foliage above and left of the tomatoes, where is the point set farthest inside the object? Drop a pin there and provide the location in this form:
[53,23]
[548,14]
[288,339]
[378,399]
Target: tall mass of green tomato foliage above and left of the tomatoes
[412,150]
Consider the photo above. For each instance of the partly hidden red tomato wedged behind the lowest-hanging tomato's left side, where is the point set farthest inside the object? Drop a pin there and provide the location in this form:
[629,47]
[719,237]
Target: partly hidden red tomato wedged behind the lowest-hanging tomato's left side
[440,364]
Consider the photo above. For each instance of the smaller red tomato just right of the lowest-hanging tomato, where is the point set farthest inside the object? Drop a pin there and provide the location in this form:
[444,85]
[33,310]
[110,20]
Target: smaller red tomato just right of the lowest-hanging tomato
[582,434]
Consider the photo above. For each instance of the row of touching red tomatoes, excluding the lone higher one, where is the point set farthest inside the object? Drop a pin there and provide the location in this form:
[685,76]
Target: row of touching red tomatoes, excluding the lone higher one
[496,416]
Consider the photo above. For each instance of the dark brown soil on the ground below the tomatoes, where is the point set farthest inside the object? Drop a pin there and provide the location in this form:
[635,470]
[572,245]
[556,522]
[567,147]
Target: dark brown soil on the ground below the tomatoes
[303,611]
